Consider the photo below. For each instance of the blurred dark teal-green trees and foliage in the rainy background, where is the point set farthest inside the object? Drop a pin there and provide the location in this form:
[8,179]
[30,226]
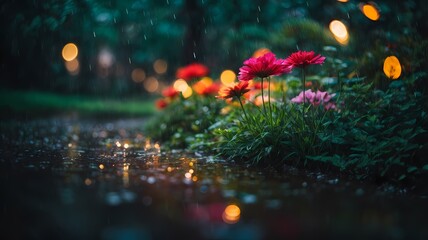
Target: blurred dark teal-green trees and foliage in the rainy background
[220,34]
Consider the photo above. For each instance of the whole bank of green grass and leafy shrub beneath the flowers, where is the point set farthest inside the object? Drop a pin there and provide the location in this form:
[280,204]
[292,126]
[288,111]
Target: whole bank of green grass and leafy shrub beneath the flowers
[373,134]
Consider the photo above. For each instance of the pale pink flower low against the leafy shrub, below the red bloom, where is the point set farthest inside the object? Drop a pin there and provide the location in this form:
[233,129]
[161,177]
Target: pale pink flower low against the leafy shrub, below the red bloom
[315,98]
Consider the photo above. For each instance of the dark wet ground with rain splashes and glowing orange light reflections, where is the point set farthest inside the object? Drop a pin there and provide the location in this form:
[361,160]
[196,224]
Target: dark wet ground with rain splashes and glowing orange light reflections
[71,178]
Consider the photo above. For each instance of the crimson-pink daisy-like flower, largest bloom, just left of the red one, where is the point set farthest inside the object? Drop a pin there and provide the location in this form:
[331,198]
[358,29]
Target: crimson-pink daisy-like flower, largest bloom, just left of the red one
[264,66]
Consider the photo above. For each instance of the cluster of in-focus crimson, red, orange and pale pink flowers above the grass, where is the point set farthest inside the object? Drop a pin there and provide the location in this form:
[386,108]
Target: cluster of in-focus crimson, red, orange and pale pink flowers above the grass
[268,65]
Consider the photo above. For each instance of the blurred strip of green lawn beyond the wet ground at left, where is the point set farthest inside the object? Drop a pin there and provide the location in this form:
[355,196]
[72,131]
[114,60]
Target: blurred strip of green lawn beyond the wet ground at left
[39,103]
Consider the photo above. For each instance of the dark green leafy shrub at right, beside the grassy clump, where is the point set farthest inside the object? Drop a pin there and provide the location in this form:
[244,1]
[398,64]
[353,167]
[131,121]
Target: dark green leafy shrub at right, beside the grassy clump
[377,133]
